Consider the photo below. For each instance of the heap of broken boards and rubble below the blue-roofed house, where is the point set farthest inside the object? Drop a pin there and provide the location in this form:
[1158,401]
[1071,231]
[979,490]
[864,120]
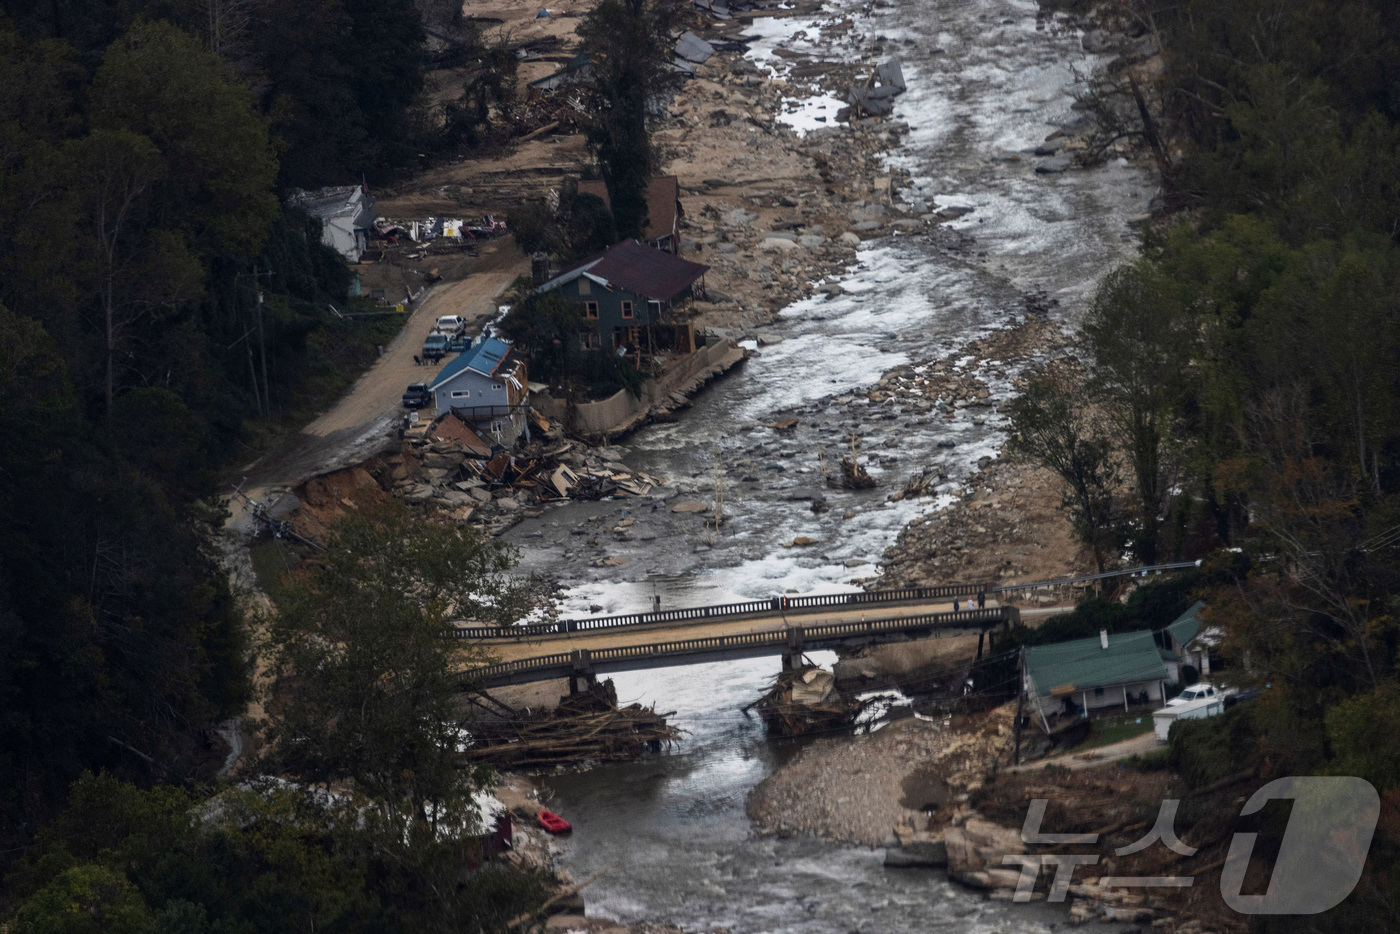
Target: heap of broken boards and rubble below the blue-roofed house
[449,466]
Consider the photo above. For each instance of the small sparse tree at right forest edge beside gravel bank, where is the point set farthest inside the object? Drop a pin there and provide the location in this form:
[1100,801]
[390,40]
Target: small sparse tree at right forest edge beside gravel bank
[1052,428]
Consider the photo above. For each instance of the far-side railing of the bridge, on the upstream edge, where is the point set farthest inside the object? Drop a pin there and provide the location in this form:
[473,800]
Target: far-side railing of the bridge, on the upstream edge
[731,611]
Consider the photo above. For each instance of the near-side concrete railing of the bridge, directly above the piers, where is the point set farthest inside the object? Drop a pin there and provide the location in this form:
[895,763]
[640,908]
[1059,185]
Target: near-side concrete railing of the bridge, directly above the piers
[796,639]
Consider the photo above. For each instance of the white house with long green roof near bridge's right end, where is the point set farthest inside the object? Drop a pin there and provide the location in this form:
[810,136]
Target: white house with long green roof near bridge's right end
[1083,676]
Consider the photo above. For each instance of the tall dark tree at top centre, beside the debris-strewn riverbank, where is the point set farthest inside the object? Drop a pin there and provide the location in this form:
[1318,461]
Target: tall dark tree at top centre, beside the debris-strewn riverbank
[629,47]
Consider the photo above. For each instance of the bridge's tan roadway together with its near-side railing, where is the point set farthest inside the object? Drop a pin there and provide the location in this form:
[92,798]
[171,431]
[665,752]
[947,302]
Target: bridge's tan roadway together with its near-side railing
[582,657]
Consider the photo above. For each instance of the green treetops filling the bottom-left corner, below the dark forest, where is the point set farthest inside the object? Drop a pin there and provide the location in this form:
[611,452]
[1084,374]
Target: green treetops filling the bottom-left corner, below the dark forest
[268,858]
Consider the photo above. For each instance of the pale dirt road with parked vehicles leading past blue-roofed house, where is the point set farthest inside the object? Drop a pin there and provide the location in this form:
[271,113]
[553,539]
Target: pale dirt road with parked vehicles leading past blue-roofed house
[360,422]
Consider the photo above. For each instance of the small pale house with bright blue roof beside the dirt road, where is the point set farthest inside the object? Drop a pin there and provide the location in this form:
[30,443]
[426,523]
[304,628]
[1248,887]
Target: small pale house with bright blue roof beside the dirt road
[488,389]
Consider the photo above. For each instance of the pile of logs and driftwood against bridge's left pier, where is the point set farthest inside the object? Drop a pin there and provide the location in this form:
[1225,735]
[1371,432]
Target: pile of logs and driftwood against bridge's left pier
[584,727]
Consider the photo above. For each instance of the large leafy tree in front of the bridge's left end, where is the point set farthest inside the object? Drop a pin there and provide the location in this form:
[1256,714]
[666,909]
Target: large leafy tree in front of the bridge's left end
[369,678]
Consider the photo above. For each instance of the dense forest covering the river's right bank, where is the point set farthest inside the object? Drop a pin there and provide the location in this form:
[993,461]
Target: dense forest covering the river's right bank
[1237,397]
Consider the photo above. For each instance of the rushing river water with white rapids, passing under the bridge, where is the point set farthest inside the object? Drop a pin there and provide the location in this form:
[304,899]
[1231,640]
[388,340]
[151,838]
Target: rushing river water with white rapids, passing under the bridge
[986,86]
